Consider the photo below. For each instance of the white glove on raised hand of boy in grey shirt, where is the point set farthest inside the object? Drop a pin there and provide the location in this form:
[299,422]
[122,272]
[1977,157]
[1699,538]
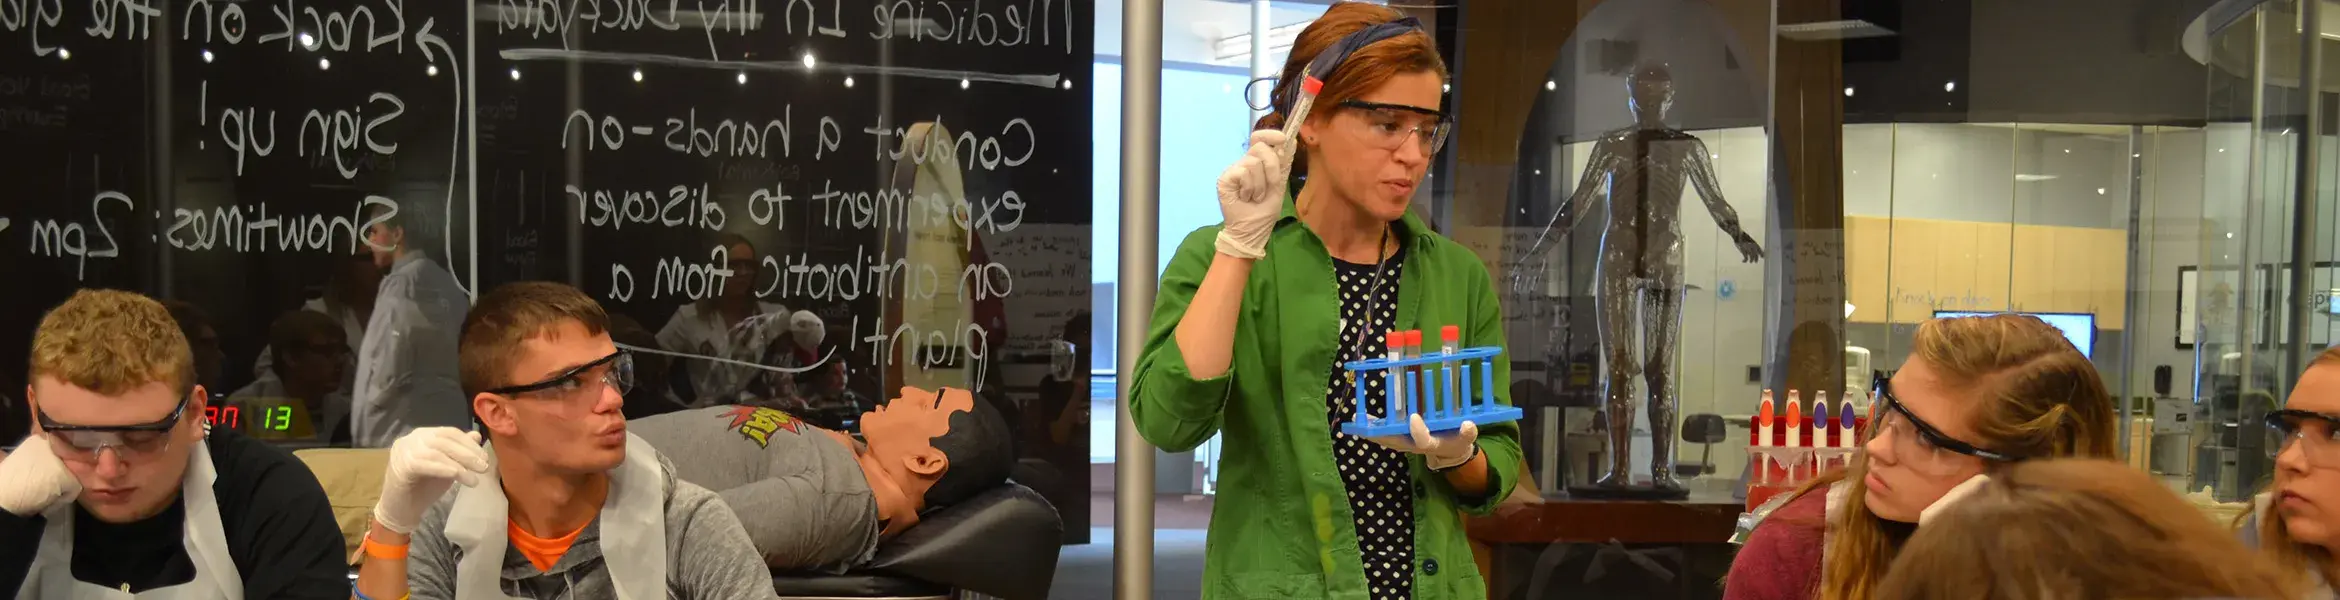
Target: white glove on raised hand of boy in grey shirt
[422,468]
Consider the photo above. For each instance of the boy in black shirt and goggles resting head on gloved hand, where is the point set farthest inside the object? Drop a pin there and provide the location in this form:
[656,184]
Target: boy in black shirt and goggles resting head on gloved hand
[125,493]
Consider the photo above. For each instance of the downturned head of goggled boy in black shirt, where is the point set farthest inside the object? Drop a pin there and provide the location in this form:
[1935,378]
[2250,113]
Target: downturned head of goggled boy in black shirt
[113,393]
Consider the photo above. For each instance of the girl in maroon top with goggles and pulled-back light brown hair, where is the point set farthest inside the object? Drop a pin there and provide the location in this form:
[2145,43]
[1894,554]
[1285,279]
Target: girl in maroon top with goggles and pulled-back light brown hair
[1976,395]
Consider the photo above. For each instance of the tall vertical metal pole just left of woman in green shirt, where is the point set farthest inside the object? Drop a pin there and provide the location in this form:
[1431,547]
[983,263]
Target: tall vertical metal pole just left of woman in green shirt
[1141,189]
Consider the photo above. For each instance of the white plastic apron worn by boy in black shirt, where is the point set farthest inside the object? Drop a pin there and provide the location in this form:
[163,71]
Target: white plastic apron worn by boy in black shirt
[207,545]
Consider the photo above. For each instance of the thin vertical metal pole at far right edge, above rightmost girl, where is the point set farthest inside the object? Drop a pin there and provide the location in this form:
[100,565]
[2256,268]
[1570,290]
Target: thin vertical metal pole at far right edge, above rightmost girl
[2304,198]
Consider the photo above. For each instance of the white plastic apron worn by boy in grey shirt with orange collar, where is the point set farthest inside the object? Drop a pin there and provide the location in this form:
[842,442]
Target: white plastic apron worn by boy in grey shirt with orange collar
[633,529]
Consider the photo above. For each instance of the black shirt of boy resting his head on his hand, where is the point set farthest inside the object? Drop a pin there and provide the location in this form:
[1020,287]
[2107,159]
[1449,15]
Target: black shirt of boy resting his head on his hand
[280,533]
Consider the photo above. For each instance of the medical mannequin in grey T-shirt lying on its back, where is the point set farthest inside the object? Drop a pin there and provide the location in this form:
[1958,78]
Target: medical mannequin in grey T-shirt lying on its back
[823,500]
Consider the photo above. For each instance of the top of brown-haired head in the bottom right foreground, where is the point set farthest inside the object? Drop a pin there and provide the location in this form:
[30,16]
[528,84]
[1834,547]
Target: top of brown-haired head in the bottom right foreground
[2079,529]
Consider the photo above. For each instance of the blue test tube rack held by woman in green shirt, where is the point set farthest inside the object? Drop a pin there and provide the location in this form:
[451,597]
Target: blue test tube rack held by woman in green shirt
[1447,393]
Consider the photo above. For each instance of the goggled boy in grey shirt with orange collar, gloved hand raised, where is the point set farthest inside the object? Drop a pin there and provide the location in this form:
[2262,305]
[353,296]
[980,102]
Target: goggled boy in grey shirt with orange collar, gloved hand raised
[565,503]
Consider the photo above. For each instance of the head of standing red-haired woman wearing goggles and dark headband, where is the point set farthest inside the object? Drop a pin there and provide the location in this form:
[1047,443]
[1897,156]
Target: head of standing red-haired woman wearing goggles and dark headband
[1377,121]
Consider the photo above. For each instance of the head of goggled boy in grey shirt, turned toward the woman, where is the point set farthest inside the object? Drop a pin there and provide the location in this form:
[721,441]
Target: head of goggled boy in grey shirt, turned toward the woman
[546,381]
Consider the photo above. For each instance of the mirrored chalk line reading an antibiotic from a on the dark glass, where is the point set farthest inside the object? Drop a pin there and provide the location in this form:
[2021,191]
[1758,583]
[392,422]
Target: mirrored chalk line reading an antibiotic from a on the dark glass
[806,278]
